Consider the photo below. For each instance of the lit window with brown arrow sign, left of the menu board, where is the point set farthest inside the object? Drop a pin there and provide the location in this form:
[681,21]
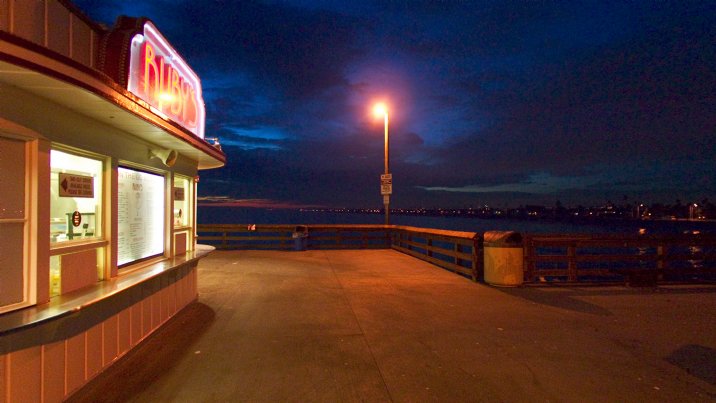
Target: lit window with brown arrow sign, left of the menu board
[76,197]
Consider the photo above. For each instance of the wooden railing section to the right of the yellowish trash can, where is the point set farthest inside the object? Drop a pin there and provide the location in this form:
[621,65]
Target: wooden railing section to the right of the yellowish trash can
[618,258]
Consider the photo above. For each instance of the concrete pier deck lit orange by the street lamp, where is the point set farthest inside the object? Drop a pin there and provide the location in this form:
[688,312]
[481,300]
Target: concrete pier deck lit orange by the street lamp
[382,326]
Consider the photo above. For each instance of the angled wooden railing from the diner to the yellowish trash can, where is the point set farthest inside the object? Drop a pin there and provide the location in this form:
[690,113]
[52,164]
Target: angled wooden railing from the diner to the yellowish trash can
[456,251]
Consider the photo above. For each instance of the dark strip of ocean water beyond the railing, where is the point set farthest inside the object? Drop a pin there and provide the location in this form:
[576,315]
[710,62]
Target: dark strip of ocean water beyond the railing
[242,215]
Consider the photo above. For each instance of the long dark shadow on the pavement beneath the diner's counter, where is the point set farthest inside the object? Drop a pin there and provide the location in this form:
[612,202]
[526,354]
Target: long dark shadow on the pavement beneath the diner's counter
[150,359]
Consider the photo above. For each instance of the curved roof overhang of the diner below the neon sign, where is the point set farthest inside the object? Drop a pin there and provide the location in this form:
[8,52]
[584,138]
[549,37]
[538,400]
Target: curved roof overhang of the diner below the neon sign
[90,92]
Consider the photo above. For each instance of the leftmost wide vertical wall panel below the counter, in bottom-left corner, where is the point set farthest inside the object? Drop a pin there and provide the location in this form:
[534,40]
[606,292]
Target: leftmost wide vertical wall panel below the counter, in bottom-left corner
[25,371]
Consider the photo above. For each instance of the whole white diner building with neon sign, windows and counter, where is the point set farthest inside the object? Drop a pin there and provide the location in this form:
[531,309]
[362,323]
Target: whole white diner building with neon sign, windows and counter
[101,142]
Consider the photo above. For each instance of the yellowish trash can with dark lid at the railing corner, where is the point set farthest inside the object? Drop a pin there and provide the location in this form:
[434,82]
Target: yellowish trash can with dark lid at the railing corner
[503,258]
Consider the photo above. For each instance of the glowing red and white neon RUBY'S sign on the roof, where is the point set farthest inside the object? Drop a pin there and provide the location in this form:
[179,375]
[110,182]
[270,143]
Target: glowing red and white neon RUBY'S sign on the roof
[158,75]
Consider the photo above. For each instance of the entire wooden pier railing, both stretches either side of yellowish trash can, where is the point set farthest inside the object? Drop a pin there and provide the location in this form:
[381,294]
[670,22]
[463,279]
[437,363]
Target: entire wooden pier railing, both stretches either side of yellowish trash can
[558,258]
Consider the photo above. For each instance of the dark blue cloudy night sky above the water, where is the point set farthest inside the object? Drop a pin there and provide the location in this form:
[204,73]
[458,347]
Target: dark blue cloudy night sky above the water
[499,102]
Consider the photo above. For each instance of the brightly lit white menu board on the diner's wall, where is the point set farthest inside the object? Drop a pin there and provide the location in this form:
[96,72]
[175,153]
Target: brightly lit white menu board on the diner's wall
[140,210]
